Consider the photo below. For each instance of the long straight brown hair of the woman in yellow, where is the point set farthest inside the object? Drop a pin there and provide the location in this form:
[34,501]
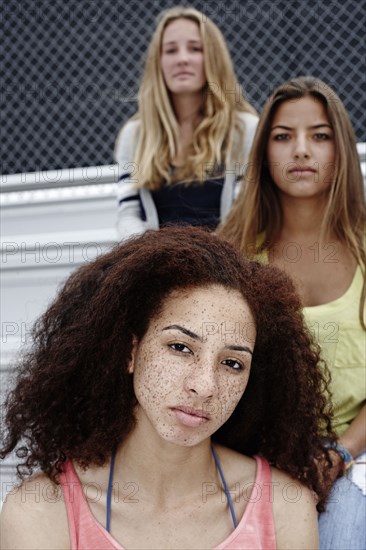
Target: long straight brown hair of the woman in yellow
[257,209]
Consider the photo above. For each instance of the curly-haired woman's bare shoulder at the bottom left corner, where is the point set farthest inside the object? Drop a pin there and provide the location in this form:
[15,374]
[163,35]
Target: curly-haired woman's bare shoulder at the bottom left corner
[37,506]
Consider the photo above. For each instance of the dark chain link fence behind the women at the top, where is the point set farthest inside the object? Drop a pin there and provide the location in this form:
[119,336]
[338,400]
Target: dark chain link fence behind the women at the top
[70,70]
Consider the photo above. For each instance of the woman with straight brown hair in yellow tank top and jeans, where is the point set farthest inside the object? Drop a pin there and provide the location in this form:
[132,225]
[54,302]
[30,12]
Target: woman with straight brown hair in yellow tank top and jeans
[303,209]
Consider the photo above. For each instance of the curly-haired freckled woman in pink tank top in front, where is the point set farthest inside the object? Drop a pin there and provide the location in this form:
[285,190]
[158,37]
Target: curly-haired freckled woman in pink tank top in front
[162,381]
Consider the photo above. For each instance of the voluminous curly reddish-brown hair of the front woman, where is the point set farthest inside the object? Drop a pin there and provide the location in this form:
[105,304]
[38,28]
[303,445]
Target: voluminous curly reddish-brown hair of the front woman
[74,398]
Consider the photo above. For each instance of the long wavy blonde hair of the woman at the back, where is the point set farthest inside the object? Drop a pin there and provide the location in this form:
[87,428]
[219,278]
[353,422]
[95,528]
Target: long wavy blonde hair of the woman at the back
[213,139]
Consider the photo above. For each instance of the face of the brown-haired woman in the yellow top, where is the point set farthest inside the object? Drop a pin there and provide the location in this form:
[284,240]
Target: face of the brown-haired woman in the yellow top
[301,150]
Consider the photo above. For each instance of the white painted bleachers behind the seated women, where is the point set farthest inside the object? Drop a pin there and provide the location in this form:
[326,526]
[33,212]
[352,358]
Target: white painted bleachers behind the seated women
[51,223]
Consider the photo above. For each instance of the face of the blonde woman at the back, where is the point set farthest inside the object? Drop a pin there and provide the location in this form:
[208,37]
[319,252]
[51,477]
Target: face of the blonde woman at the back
[182,57]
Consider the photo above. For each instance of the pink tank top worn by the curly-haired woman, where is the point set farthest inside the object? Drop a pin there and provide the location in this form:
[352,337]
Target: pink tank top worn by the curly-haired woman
[255,529]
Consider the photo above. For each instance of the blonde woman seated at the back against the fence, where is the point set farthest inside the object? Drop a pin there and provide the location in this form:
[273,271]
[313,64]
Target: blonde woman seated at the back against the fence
[193,130]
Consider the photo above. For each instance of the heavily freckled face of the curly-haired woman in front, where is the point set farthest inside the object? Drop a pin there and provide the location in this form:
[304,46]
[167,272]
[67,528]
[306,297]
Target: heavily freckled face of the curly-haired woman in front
[192,366]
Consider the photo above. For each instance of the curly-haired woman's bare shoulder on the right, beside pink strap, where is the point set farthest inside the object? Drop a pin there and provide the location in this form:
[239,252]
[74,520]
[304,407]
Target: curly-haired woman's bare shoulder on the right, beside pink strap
[294,512]
